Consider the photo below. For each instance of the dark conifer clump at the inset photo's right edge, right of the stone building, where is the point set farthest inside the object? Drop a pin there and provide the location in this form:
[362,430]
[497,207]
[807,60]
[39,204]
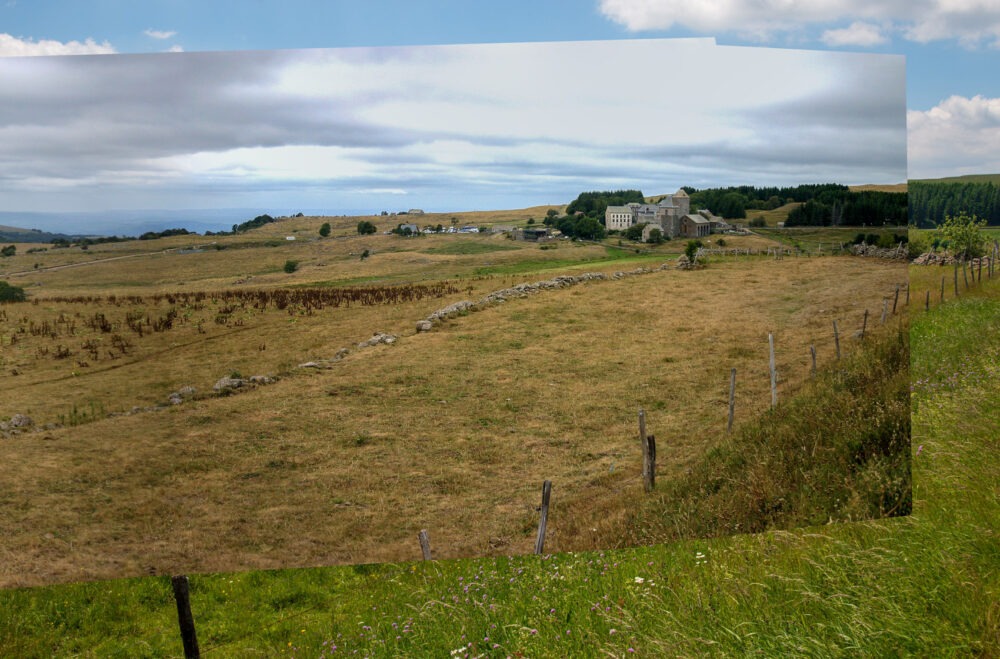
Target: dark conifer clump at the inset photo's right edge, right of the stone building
[868,208]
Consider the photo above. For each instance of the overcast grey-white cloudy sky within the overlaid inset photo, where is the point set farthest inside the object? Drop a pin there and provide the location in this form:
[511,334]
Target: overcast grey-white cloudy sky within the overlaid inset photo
[439,127]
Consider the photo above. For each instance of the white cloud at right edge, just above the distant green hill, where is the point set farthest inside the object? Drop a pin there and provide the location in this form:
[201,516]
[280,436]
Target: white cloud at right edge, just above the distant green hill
[958,136]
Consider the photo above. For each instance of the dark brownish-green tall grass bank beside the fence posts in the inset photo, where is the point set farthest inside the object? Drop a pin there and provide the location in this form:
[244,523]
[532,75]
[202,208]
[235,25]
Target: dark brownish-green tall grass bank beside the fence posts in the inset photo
[839,450]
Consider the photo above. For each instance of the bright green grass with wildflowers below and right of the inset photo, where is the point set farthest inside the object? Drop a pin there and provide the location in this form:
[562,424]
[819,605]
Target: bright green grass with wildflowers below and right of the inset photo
[923,585]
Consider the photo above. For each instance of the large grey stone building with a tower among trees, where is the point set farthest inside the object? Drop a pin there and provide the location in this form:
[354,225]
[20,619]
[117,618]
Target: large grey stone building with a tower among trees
[672,216]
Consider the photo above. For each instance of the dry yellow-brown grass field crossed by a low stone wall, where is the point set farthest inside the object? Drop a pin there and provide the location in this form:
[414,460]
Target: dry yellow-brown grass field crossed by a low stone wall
[452,430]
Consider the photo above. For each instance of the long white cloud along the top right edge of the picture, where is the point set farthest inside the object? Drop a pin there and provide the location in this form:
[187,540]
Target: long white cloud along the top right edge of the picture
[971,22]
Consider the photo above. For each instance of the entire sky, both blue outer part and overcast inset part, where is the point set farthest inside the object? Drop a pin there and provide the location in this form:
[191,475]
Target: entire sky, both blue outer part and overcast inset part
[227,107]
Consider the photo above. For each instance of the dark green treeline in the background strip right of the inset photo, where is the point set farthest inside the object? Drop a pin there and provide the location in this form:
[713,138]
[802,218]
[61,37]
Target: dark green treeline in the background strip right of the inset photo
[931,202]
